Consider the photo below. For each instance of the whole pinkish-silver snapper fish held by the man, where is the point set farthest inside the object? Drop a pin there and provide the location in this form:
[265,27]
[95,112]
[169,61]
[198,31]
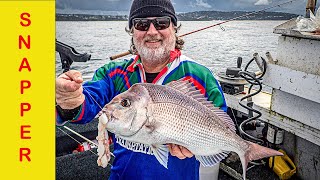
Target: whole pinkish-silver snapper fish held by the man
[178,113]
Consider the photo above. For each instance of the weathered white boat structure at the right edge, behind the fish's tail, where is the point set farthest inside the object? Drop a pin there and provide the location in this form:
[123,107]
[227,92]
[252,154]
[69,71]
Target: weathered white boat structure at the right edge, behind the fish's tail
[292,108]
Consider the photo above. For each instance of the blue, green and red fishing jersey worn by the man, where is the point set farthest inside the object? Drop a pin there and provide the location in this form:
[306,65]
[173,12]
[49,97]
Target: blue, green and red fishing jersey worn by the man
[135,160]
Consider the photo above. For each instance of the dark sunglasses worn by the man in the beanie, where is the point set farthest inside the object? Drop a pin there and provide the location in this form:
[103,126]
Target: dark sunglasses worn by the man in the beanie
[143,24]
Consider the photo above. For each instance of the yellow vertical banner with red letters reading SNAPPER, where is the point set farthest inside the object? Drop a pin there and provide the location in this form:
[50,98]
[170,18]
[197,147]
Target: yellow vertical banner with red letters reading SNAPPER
[27,89]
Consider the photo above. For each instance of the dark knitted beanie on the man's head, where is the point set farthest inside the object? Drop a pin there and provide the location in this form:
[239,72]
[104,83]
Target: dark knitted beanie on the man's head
[152,8]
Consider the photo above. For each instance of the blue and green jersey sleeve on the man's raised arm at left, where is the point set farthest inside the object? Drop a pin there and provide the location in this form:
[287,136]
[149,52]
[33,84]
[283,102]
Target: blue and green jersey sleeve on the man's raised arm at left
[98,92]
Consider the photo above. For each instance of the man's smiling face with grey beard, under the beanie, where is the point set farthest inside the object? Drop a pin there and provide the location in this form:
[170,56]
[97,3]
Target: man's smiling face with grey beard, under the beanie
[154,45]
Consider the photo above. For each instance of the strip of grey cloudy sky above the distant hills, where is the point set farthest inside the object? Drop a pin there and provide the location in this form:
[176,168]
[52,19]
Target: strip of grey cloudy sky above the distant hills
[297,7]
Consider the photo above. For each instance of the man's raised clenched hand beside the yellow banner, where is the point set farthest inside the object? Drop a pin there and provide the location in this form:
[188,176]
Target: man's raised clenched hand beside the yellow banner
[69,90]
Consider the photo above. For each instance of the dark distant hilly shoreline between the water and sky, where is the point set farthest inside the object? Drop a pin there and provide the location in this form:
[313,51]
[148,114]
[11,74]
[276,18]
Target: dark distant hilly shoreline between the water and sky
[190,16]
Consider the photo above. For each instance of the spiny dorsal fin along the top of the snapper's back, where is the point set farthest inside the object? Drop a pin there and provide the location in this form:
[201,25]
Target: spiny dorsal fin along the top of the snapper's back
[187,88]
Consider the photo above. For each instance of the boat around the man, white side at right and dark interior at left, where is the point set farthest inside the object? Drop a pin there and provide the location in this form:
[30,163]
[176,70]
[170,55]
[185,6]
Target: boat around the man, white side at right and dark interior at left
[290,113]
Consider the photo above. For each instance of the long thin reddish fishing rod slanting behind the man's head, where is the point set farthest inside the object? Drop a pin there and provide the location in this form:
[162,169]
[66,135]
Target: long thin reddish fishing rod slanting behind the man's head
[217,24]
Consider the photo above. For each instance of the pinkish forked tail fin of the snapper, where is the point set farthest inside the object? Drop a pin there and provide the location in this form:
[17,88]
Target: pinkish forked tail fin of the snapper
[255,151]
